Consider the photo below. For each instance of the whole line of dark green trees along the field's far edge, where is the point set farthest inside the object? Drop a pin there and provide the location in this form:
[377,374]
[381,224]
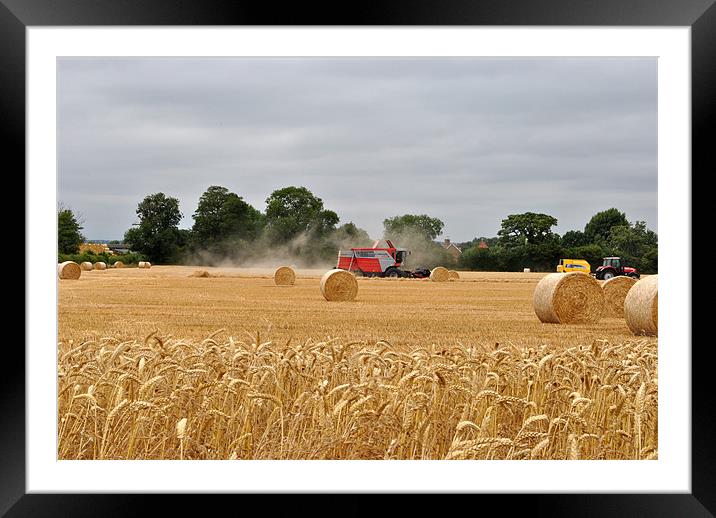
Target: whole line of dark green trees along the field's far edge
[296,224]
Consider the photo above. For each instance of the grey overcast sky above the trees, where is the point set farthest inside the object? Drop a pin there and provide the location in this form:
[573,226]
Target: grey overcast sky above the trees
[468,141]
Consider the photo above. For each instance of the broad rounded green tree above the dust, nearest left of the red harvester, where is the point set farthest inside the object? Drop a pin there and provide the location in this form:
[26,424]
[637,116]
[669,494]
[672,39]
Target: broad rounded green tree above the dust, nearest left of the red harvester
[293,211]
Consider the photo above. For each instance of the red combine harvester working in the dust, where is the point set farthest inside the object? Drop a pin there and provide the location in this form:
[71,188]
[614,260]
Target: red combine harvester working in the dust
[378,262]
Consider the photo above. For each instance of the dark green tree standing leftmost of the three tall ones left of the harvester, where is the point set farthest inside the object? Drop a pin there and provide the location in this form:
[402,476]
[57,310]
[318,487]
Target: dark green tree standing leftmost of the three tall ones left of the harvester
[157,236]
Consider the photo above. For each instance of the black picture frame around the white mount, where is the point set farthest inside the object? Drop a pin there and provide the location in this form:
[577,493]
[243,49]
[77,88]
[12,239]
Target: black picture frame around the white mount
[700,15]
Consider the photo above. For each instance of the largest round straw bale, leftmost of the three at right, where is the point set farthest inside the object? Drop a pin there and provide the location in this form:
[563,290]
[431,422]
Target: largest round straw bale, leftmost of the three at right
[568,298]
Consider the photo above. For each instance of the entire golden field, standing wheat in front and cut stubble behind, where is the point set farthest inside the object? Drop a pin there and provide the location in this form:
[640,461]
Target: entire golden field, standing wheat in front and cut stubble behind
[165,364]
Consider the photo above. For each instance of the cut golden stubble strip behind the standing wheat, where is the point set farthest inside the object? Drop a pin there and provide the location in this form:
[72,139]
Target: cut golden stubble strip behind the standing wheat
[479,307]
